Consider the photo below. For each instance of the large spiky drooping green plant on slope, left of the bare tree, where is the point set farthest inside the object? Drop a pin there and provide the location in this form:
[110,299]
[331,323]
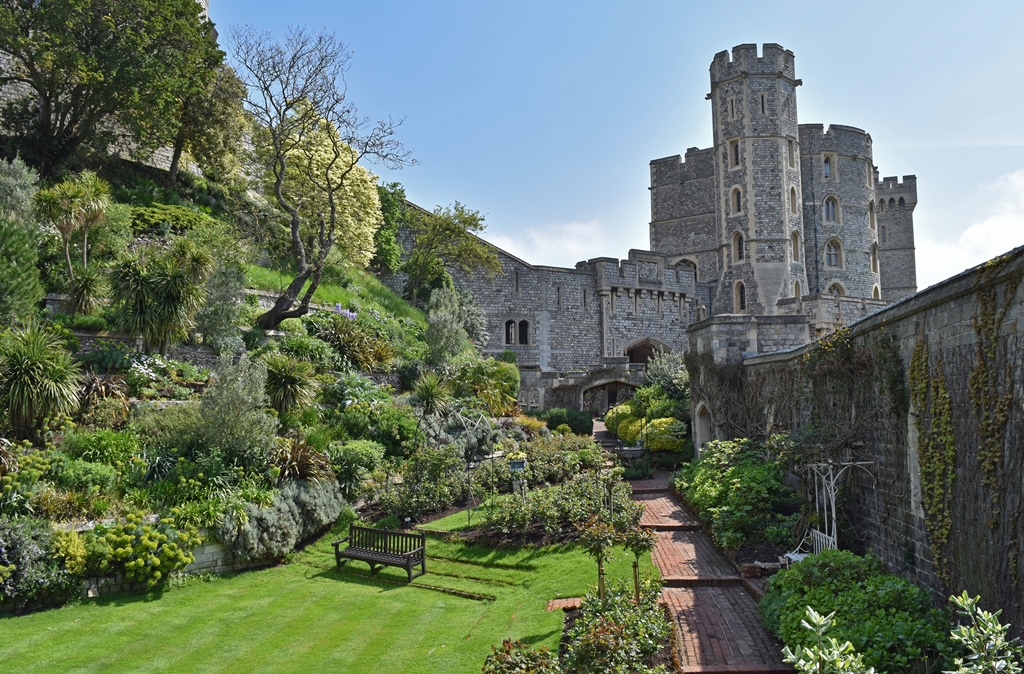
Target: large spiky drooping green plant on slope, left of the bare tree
[157,294]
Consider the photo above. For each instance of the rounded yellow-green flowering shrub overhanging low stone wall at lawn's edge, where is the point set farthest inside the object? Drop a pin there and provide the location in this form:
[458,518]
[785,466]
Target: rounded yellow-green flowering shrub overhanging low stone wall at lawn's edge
[142,552]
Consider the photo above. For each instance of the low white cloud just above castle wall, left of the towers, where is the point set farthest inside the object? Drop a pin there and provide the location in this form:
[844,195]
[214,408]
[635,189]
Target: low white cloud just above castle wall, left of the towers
[565,244]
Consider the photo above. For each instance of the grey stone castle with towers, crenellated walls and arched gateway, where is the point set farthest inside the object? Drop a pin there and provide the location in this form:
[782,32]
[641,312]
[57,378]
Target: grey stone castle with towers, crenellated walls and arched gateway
[777,234]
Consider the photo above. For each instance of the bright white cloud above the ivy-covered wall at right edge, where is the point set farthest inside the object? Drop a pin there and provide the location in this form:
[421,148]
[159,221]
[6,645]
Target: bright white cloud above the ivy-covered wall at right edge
[1001,231]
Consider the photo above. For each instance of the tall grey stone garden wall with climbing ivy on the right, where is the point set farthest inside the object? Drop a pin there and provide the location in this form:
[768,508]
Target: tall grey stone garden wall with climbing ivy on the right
[931,392]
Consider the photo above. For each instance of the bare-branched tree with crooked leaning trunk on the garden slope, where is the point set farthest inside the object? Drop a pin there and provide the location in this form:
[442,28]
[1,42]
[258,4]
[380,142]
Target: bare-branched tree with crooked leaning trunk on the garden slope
[297,94]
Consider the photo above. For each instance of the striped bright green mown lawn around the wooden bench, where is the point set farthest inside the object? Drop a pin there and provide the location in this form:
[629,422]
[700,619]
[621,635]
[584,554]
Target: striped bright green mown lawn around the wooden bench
[310,617]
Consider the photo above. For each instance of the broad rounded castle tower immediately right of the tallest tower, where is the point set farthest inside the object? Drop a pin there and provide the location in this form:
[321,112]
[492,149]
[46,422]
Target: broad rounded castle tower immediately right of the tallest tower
[841,222]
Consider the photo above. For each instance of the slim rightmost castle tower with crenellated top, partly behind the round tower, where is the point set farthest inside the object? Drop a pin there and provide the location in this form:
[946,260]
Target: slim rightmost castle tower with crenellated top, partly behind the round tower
[894,202]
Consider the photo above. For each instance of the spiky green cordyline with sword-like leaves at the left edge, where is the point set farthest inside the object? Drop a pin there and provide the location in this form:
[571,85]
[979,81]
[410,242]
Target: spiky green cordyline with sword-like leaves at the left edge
[38,378]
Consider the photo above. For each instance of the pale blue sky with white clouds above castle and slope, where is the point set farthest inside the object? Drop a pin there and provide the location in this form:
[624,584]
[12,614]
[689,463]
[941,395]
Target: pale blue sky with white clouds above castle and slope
[544,116]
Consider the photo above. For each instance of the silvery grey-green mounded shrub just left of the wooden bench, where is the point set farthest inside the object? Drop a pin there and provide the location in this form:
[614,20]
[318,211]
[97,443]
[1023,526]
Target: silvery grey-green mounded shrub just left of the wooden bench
[298,512]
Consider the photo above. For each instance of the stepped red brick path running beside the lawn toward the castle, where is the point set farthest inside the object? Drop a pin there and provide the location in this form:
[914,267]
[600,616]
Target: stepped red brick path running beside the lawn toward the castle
[715,617]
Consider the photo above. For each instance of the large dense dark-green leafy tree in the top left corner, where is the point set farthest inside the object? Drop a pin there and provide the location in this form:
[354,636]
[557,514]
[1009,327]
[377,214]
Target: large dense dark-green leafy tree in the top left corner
[98,69]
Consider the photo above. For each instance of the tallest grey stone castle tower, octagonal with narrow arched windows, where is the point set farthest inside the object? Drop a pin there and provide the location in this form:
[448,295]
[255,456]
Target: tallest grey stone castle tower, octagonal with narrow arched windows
[758,177]
